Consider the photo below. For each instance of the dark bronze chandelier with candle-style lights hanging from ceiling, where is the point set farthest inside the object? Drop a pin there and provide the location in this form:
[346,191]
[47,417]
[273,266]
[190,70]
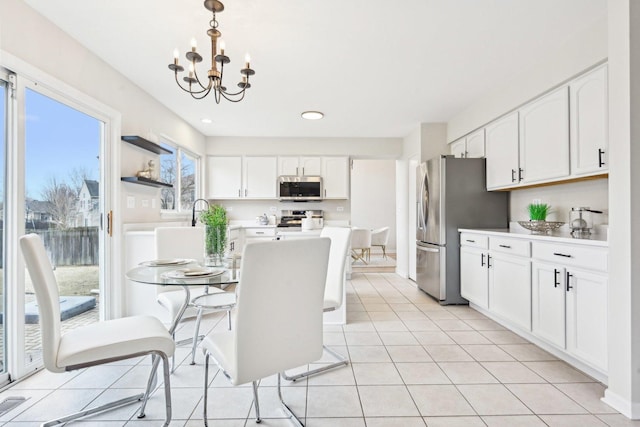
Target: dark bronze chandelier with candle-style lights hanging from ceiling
[194,86]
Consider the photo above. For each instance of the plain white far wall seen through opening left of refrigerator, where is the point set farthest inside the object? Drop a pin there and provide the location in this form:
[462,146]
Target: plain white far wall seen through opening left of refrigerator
[373,197]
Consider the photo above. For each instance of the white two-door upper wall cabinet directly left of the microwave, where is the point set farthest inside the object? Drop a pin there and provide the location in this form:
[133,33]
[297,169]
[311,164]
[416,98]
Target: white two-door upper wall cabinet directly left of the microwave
[234,177]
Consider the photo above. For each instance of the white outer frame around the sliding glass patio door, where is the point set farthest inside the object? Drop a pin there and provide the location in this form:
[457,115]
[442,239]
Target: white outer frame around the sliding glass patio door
[27,76]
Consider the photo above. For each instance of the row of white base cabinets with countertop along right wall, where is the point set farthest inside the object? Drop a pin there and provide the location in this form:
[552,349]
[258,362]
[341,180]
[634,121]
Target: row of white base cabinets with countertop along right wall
[550,289]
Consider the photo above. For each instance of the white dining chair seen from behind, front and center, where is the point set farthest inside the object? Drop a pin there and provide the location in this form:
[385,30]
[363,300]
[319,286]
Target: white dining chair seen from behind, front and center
[278,323]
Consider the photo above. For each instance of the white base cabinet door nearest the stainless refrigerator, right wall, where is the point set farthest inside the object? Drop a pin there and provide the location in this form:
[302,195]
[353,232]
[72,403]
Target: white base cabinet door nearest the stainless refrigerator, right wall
[474,276]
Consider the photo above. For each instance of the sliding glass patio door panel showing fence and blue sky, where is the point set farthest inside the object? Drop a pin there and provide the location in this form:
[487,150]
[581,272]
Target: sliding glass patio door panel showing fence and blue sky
[61,189]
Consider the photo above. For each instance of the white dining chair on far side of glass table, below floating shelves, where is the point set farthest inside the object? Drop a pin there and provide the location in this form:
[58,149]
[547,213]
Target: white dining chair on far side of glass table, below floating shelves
[187,243]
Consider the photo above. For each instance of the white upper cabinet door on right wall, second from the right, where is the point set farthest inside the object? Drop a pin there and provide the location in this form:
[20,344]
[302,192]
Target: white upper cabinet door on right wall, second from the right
[544,138]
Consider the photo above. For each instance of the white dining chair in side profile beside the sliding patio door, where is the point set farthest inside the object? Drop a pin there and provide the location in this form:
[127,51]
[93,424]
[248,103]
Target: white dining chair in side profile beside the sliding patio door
[94,344]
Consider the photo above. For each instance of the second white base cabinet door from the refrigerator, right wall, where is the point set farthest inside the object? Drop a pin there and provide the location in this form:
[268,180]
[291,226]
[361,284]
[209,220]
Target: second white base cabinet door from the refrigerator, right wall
[510,288]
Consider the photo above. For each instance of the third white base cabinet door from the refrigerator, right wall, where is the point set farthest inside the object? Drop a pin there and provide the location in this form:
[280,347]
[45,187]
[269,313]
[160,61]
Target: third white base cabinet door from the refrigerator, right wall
[548,303]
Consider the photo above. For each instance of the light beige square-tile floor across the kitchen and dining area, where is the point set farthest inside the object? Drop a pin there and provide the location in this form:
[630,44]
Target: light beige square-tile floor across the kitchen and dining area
[413,363]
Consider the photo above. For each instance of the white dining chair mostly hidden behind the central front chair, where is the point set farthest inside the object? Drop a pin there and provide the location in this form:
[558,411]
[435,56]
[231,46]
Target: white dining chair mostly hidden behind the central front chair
[334,290]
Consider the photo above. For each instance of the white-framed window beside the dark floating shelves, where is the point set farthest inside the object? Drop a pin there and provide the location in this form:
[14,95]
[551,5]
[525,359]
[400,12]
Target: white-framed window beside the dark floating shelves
[180,170]
